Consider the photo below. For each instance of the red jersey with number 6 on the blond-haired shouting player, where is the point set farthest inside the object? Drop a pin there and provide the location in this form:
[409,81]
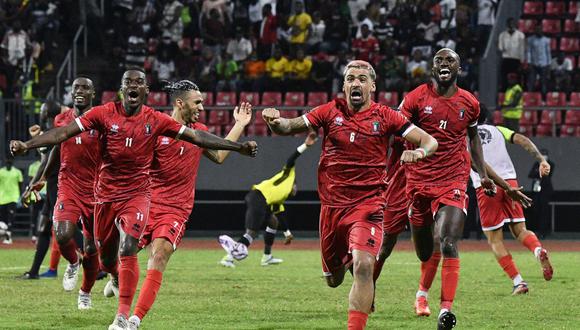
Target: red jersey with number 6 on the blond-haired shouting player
[353,162]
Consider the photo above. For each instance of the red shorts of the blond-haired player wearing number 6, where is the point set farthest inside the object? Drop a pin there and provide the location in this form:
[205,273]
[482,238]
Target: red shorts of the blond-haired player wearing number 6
[344,229]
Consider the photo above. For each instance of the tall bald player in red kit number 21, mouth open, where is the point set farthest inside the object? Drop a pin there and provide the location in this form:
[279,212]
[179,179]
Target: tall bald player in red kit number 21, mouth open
[436,187]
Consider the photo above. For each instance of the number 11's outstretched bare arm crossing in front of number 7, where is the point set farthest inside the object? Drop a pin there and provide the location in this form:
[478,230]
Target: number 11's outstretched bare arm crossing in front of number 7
[209,141]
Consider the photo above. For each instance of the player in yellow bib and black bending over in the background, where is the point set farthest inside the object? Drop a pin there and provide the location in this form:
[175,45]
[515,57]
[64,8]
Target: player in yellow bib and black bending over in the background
[263,203]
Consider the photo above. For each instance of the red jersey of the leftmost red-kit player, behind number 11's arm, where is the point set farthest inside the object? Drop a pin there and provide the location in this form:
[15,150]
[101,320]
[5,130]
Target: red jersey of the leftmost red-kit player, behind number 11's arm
[79,160]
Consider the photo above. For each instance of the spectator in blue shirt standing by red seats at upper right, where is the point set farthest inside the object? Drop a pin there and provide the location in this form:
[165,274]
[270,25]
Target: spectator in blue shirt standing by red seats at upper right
[539,59]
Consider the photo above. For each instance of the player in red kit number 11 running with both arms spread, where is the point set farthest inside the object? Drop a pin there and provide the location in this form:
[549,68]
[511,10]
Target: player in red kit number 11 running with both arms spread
[129,132]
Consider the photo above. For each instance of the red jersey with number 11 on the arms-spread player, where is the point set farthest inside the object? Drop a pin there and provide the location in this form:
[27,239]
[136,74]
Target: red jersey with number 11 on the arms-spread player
[127,145]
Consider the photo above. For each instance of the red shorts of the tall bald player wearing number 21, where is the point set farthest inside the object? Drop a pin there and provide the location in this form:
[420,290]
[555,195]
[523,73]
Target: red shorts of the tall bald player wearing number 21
[426,200]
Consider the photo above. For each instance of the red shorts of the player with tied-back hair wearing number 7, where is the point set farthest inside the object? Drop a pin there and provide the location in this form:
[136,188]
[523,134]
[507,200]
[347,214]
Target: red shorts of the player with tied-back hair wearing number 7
[163,225]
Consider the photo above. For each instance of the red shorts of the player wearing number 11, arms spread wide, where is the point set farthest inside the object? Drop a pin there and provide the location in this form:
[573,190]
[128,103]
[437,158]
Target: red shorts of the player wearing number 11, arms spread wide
[131,215]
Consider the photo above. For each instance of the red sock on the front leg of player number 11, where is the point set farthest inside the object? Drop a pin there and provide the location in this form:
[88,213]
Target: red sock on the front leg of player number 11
[128,280]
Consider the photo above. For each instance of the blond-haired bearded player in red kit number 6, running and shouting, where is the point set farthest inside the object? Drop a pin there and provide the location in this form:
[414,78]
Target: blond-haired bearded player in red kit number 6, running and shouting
[351,178]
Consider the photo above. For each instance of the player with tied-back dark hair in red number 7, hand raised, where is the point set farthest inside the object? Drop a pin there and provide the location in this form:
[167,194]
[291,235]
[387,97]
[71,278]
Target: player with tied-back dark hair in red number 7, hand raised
[173,176]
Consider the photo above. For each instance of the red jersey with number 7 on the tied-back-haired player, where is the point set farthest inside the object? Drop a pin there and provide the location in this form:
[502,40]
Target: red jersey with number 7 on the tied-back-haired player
[173,174]
